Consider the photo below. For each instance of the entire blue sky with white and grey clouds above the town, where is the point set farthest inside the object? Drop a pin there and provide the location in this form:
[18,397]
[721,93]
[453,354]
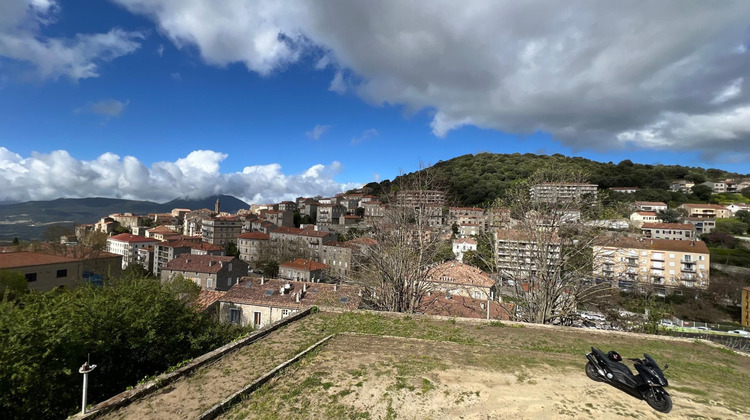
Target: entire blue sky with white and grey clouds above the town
[269,100]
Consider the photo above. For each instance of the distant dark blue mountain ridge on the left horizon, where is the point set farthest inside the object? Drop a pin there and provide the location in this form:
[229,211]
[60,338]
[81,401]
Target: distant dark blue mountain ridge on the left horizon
[28,220]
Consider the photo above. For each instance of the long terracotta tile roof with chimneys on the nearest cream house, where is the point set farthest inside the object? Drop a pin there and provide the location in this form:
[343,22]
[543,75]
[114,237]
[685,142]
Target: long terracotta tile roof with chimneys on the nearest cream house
[250,291]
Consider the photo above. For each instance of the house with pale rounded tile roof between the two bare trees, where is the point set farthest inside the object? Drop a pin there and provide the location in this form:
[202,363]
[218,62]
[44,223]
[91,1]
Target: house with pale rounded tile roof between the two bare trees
[457,279]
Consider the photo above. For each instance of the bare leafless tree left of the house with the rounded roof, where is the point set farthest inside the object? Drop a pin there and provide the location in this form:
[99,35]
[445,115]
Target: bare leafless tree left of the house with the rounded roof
[393,270]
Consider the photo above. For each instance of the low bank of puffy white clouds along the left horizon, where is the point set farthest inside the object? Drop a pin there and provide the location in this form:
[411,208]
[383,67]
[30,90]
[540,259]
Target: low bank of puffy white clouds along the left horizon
[58,174]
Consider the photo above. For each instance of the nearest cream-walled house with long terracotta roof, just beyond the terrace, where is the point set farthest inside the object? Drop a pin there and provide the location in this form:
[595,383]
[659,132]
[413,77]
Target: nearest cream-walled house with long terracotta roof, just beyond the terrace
[259,302]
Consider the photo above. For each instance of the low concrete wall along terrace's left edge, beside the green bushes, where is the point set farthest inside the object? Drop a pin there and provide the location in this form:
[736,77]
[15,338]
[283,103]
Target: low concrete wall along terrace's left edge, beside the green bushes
[125,398]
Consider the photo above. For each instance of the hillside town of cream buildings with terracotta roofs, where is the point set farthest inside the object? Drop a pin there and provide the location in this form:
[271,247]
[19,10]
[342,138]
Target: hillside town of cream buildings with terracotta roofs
[264,263]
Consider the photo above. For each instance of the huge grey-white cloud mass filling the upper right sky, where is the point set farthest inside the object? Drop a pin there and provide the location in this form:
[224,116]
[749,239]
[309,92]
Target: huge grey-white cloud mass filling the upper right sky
[587,72]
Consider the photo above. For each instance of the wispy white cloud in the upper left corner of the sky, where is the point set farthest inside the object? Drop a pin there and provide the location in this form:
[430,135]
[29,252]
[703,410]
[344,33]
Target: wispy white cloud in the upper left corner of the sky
[21,23]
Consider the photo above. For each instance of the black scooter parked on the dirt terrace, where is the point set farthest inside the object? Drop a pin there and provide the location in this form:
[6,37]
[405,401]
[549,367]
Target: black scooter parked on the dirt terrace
[648,384]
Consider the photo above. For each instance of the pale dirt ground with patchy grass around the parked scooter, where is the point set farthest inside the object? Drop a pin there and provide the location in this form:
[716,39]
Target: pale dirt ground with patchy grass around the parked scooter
[375,377]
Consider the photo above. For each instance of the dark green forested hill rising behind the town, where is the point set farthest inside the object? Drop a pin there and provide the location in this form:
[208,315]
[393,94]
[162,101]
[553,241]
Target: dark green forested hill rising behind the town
[476,179]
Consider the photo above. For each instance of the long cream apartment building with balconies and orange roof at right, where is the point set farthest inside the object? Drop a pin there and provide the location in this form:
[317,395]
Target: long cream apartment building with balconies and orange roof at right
[660,263]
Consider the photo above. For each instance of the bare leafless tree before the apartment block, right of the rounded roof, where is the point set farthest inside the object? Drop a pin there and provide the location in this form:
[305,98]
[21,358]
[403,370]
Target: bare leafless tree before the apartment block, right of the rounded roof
[547,253]
